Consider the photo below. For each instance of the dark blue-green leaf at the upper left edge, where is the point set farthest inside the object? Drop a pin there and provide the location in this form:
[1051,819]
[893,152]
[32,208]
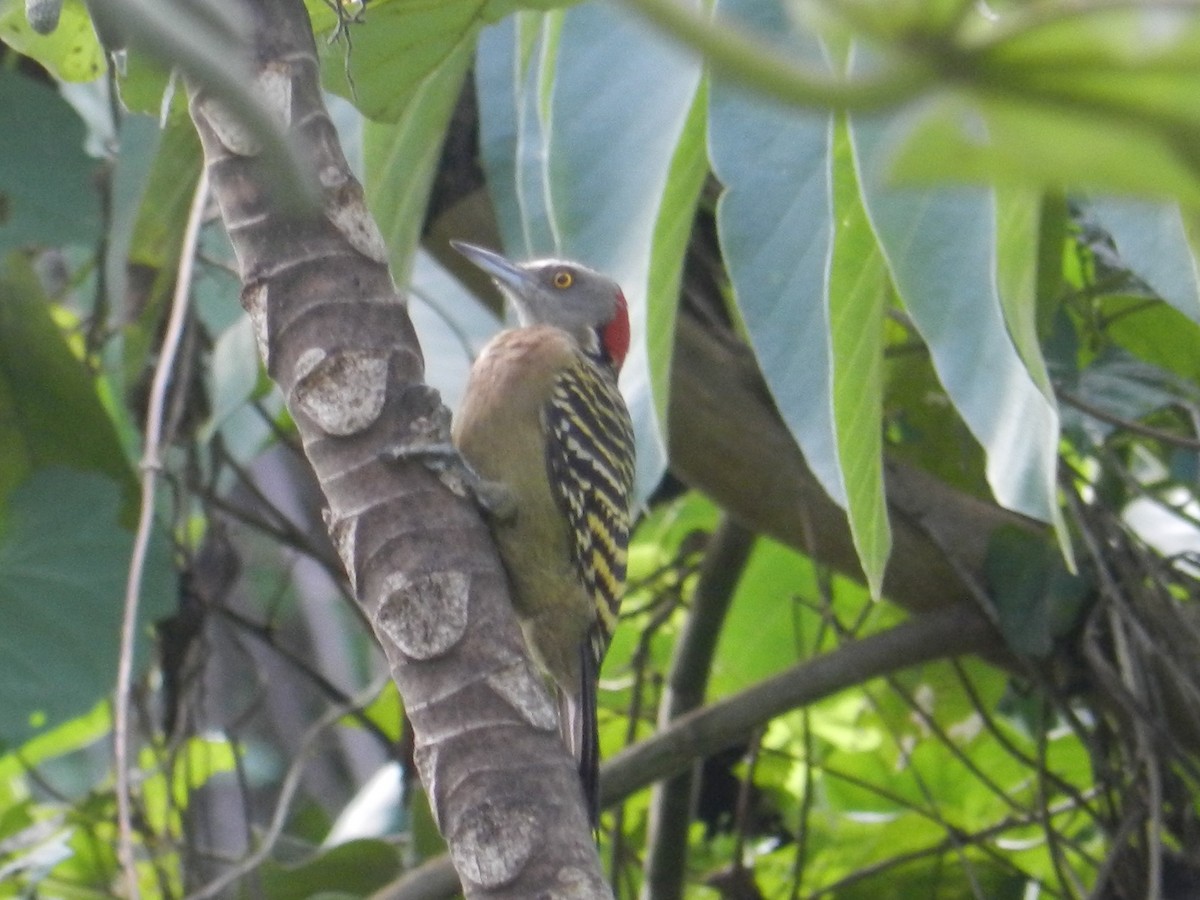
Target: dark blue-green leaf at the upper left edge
[47,183]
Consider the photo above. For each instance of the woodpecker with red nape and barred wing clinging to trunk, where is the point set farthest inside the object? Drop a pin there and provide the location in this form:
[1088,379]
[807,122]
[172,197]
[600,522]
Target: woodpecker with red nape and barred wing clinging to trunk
[543,418]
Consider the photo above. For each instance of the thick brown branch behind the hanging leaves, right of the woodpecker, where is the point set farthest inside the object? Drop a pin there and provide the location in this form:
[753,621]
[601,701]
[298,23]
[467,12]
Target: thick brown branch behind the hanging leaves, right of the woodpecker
[766,485]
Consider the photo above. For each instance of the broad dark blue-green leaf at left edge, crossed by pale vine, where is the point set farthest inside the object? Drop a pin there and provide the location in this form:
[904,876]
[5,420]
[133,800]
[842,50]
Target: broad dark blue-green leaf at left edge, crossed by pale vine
[64,563]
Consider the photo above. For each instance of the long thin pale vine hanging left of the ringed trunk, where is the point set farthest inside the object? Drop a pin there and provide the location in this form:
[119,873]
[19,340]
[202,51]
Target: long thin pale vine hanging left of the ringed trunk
[151,466]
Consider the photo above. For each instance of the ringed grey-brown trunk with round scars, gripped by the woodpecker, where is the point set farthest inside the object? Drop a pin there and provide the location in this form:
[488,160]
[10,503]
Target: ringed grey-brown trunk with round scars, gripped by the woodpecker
[338,340]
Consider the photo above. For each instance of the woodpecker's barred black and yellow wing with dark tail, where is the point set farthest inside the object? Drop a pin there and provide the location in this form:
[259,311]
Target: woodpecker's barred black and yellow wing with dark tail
[590,454]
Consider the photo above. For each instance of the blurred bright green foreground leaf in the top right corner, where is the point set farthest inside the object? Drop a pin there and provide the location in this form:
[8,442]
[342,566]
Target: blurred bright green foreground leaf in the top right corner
[1102,99]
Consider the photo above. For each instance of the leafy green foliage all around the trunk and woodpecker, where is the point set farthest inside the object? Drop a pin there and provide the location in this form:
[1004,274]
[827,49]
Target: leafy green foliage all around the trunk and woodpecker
[981,265]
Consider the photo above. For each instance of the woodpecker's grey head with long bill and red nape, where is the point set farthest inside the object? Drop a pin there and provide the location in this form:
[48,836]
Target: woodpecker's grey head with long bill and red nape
[568,296]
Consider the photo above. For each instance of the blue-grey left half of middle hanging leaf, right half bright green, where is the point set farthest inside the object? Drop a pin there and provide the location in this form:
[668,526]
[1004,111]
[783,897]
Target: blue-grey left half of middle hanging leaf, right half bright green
[776,225]
